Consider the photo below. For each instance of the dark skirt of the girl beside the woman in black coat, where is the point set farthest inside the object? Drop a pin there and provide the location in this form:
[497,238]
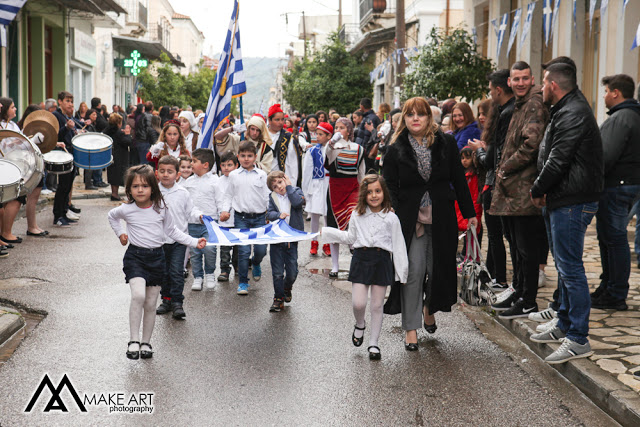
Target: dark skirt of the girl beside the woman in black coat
[371,266]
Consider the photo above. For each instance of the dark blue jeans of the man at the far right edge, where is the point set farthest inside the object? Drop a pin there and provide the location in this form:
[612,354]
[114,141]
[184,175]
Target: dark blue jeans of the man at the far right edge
[611,223]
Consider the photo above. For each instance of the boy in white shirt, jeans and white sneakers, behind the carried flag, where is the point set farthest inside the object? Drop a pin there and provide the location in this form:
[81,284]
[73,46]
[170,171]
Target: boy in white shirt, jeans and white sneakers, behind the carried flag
[207,196]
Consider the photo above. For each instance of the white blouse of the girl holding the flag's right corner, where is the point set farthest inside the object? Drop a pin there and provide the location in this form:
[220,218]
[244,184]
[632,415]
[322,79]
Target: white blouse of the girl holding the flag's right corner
[374,230]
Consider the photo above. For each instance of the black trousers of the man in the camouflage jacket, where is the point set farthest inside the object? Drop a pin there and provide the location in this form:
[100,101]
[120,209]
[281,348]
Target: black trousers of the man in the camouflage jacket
[525,250]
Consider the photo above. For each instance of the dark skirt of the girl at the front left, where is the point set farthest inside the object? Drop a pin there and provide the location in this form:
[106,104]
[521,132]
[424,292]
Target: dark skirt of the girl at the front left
[145,263]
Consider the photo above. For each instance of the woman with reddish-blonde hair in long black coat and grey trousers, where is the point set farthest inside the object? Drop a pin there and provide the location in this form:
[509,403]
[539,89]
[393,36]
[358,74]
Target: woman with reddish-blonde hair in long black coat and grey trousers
[425,177]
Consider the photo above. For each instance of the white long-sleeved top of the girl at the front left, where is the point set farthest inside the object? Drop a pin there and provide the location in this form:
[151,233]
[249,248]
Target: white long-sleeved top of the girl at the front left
[147,228]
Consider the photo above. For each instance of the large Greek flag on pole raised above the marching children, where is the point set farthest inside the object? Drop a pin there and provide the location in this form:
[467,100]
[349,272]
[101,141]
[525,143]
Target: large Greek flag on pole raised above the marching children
[229,82]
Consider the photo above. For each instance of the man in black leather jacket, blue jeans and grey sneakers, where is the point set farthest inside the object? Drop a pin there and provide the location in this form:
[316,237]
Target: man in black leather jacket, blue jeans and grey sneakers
[570,183]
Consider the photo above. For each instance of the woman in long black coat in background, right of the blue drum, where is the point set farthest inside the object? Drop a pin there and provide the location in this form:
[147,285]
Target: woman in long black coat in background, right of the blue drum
[121,143]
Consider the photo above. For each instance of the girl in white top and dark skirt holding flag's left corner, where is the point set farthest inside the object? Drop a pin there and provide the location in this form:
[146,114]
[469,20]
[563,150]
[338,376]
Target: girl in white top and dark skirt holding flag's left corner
[148,222]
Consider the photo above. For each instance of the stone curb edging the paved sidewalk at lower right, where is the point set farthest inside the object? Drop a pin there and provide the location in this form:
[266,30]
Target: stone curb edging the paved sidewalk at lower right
[616,399]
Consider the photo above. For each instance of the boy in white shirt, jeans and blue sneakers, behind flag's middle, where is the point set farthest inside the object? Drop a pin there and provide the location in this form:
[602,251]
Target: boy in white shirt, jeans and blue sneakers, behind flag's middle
[248,196]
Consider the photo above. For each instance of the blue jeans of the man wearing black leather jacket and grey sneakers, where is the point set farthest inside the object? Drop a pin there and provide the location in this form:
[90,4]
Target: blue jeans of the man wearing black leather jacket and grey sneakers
[568,227]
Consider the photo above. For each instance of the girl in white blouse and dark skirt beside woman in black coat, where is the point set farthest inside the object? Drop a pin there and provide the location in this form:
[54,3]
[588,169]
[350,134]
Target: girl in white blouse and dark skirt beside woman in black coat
[379,247]
